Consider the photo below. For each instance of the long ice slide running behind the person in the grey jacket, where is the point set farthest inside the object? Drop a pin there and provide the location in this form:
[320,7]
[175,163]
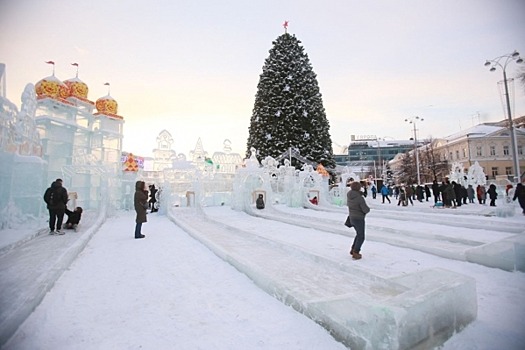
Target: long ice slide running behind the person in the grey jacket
[507,254]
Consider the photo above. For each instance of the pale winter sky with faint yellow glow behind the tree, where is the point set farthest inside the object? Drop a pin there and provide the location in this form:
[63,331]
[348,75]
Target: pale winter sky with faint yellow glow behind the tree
[192,67]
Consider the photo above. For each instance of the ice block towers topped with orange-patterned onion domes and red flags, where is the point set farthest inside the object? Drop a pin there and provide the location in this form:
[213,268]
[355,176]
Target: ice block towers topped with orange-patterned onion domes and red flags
[81,139]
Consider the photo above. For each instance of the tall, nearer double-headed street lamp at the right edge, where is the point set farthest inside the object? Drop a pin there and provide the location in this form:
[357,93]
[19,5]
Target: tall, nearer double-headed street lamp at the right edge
[505,59]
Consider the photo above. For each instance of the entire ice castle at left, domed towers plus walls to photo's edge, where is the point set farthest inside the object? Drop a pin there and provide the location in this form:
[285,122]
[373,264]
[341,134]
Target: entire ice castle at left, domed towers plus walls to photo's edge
[58,133]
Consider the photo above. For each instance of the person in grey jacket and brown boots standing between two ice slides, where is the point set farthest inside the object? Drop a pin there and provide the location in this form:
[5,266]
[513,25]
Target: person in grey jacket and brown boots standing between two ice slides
[357,210]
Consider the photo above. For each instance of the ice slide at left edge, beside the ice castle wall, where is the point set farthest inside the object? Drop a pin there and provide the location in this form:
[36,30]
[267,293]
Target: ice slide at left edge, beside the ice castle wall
[29,269]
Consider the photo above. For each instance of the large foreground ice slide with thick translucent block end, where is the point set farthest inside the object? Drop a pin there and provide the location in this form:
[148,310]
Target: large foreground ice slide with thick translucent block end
[360,309]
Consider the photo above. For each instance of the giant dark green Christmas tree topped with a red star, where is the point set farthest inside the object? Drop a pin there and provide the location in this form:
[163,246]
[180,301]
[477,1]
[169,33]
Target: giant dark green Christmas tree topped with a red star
[288,113]
